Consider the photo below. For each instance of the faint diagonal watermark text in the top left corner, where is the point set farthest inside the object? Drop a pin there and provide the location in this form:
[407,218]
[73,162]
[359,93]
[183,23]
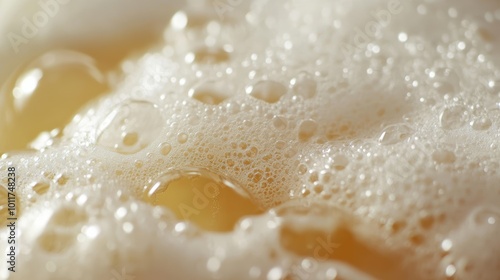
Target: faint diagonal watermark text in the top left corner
[31,26]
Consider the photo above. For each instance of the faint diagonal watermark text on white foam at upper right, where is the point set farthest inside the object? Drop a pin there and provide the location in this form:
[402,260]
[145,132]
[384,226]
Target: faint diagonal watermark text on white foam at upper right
[381,19]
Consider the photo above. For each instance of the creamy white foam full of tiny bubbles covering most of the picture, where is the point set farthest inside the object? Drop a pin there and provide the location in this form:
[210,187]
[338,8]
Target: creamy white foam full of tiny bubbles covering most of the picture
[391,143]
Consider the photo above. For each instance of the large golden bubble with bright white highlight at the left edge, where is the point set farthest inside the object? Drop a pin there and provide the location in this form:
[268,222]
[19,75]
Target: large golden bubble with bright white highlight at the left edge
[45,95]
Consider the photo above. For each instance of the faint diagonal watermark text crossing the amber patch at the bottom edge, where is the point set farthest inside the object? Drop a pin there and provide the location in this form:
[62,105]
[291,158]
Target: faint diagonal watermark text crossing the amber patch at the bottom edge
[323,251]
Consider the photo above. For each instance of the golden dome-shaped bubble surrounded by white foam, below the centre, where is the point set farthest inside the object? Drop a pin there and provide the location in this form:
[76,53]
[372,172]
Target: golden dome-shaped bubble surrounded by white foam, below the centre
[202,198]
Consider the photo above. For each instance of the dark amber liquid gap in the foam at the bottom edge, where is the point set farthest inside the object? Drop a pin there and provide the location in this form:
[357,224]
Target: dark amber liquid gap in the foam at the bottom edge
[341,239]
